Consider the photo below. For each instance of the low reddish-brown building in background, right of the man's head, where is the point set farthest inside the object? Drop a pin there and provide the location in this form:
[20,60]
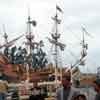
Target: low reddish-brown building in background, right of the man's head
[83,79]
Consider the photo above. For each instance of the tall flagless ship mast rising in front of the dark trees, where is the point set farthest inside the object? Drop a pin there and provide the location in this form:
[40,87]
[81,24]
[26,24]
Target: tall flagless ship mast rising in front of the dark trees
[29,42]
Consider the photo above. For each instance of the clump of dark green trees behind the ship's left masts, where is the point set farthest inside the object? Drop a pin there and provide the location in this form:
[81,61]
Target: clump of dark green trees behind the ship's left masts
[20,56]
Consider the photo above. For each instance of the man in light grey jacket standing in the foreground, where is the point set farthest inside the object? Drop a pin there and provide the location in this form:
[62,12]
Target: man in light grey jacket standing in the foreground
[67,91]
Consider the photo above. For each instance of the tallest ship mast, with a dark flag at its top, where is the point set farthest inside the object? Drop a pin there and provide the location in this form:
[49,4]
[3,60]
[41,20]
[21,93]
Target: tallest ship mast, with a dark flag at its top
[55,41]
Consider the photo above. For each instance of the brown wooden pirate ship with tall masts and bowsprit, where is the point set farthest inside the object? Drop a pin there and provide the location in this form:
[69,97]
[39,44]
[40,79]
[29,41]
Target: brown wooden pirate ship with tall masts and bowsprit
[30,63]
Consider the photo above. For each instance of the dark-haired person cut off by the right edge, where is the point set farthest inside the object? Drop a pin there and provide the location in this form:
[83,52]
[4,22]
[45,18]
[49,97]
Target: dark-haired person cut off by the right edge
[97,88]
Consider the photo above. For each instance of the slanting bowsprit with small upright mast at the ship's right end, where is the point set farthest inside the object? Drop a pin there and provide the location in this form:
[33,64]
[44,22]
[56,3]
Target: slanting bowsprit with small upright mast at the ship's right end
[81,61]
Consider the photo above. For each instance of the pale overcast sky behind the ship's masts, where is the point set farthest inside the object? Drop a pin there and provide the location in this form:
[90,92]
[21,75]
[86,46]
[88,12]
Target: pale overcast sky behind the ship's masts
[76,13]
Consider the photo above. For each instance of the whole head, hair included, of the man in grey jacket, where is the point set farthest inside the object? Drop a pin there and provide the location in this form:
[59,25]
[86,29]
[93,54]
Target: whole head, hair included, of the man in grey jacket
[66,79]
